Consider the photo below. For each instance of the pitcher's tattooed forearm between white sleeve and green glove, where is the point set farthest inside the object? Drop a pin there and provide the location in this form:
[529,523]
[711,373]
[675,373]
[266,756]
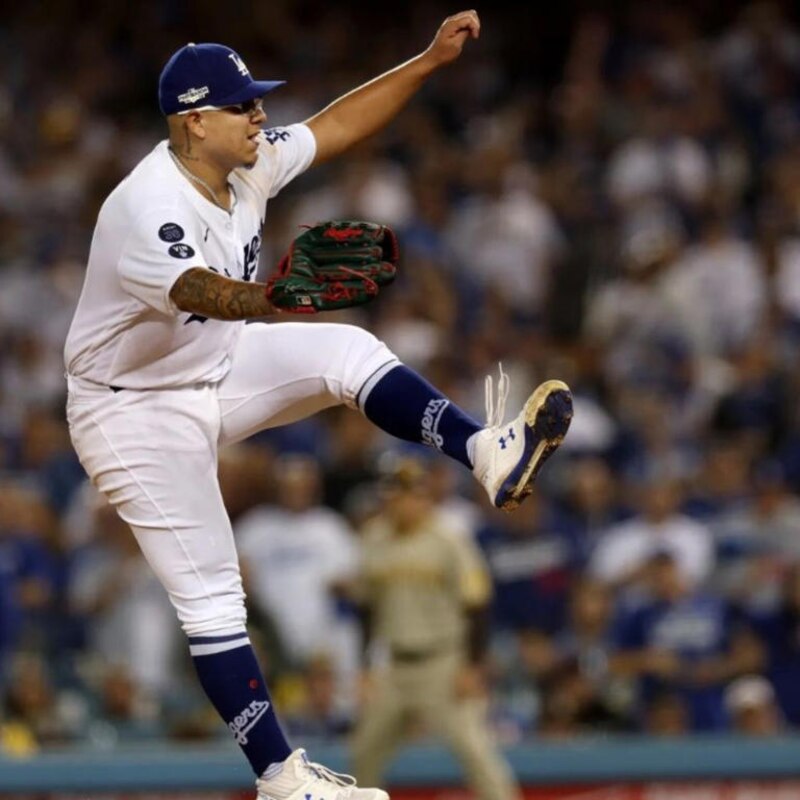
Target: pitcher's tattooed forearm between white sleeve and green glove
[201,291]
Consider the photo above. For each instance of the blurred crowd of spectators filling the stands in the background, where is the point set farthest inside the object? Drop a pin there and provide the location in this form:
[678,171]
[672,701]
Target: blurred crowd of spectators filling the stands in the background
[613,201]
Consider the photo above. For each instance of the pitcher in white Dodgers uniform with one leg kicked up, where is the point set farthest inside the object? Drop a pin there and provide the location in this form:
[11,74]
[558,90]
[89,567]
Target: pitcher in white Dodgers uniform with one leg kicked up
[162,371]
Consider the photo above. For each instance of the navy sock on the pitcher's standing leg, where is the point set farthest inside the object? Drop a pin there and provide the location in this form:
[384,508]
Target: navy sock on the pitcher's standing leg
[232,680]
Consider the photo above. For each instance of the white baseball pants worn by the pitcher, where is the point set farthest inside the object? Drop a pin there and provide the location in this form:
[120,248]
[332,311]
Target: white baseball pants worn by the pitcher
[153,454]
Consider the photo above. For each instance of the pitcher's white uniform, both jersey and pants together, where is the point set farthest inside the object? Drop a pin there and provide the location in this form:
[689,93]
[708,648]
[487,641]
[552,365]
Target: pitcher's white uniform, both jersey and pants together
[190,386]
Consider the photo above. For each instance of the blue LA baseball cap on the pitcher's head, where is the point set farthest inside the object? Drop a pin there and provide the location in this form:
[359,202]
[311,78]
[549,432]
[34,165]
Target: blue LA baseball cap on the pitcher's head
[207,75]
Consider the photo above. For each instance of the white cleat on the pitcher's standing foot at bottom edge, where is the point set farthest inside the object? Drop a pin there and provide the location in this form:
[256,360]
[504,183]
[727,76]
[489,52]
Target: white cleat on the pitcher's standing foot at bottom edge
[297,778]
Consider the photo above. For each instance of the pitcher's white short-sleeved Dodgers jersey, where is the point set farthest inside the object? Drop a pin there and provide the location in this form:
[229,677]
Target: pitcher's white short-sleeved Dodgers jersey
[153,227]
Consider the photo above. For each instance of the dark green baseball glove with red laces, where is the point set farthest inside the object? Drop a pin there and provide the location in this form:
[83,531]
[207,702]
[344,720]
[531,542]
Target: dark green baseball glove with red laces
[334,265]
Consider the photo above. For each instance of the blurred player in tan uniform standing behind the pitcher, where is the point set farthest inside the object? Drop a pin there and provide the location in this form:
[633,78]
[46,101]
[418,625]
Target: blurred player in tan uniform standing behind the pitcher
[424,592]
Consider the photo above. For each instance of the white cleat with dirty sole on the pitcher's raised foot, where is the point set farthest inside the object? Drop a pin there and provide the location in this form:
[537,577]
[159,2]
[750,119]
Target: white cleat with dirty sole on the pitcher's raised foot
[509,455]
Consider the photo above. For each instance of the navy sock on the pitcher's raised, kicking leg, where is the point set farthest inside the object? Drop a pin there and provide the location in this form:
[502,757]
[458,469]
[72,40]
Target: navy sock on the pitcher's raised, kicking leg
[404,404]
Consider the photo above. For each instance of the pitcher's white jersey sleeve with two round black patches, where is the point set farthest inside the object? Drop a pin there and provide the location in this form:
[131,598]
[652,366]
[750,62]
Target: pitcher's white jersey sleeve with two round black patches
[160,247]
